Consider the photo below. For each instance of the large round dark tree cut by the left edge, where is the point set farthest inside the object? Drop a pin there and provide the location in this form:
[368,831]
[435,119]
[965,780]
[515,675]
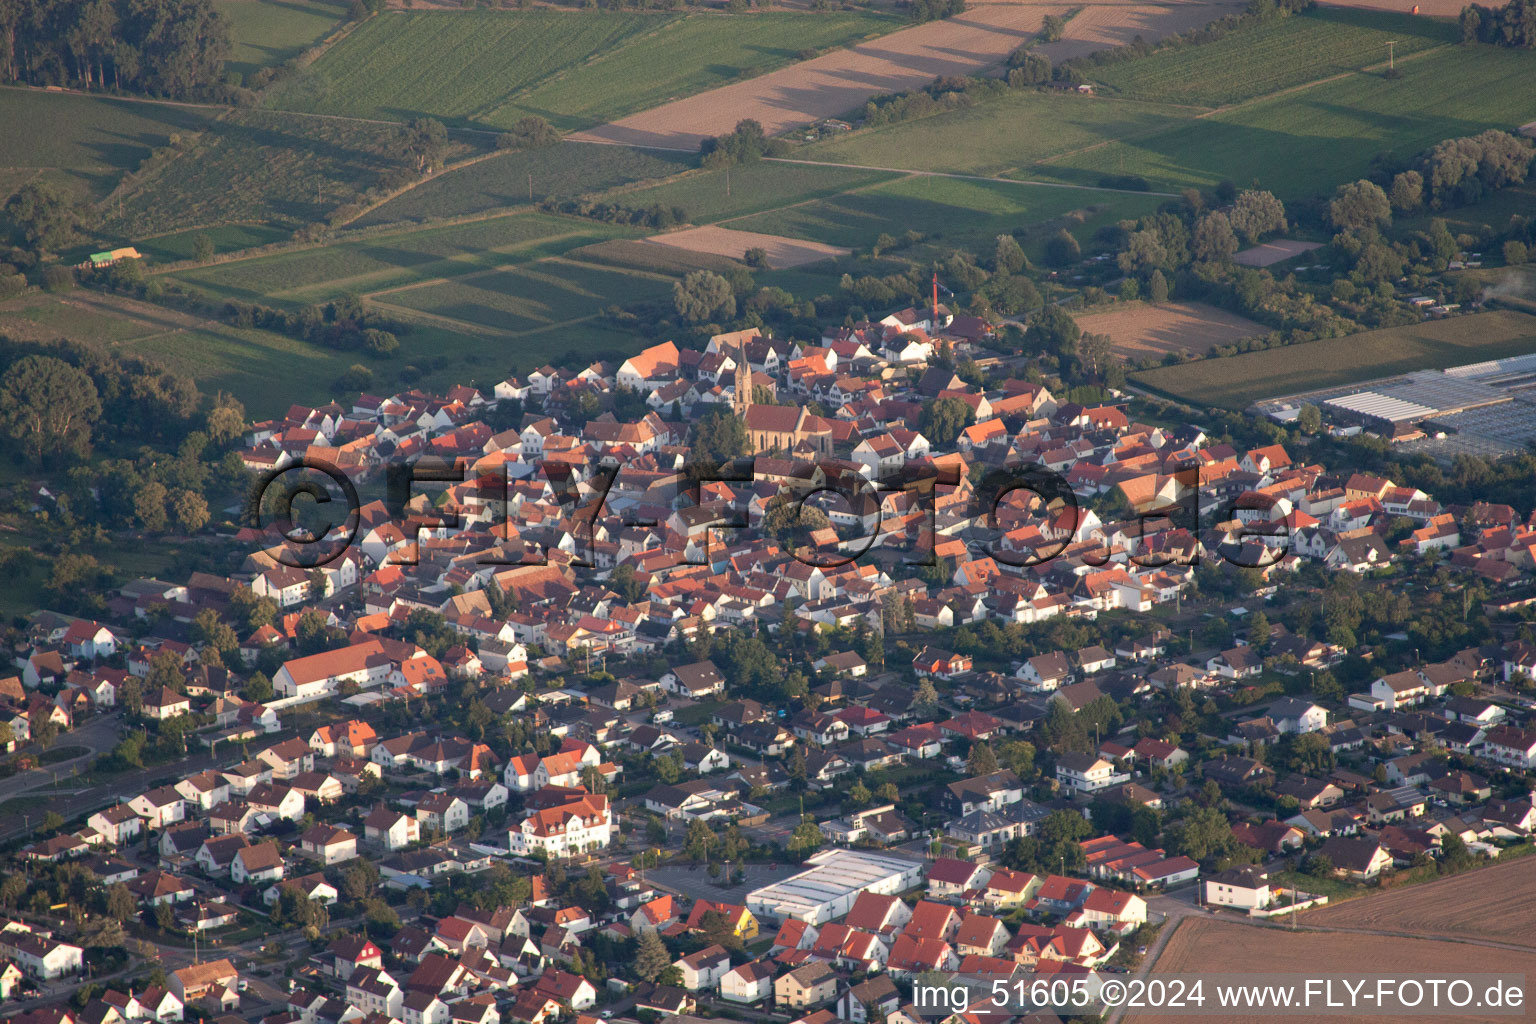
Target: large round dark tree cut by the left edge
[48,406]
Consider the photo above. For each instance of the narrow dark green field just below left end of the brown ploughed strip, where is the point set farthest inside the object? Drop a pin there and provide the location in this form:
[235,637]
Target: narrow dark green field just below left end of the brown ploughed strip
[503,182]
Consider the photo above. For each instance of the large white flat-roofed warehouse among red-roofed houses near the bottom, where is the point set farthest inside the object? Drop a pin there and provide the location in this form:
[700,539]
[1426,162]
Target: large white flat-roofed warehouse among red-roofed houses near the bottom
[830,885]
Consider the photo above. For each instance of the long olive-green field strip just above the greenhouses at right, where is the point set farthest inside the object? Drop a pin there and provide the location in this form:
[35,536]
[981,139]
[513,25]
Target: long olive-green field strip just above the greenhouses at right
[1239,382]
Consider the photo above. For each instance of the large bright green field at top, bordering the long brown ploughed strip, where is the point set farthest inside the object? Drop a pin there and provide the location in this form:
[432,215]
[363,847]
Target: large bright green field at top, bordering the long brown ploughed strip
[489,68]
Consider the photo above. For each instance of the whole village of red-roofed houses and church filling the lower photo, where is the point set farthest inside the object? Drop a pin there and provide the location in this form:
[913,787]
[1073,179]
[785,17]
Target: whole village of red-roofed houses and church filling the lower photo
[764,701]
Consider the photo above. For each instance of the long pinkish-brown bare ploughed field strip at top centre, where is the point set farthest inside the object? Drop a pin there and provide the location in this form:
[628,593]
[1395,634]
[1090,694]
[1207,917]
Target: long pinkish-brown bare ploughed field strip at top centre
[841,82]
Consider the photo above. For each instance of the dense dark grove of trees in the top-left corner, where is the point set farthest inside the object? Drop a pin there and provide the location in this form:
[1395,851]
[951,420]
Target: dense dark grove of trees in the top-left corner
[174,48]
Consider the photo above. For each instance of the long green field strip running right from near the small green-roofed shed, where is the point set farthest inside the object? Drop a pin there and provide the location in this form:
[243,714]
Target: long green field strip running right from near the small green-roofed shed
[394,259]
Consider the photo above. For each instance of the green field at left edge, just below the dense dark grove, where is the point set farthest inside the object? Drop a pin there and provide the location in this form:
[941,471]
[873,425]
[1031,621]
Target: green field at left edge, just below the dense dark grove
[84,142]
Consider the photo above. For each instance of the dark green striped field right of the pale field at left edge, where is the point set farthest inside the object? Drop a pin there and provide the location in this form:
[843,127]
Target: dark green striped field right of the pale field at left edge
[259,168]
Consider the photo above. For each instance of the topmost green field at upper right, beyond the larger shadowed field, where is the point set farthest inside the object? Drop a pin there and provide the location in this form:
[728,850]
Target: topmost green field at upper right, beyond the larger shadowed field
[1268,59]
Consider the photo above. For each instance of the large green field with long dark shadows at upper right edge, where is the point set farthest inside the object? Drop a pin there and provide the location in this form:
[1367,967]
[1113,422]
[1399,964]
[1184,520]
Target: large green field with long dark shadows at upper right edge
[1314,139]
